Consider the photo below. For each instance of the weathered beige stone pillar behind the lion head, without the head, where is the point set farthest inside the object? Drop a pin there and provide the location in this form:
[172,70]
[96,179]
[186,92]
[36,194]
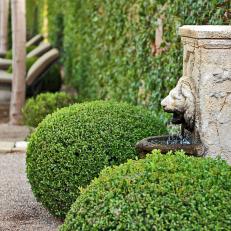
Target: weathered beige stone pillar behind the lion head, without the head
[207,61]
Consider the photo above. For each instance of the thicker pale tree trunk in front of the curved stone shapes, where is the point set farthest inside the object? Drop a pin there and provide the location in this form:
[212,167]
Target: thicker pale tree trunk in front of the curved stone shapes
[19,60]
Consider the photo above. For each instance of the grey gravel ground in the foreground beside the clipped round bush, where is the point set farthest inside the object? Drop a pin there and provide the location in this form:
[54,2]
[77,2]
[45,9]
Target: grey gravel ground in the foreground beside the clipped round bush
[19,210]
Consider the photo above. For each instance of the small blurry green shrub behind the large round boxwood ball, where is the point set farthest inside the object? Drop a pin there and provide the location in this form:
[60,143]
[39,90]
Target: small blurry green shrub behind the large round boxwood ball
[36,109]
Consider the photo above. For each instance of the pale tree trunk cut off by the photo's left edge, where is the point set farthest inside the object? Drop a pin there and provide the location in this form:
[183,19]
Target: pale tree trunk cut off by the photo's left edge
[4,14]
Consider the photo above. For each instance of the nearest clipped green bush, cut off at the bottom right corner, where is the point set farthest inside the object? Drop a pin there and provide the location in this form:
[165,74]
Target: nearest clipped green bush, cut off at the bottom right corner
[161,192]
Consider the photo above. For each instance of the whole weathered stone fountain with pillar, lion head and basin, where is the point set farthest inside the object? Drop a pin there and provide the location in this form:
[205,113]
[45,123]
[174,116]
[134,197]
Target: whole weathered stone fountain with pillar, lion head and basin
[201,100]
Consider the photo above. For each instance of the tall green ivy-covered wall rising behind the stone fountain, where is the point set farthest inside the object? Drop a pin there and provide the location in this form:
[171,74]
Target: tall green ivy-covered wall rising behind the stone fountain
[107,44]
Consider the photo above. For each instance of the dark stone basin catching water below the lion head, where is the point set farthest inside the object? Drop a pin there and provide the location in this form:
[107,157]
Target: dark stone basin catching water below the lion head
[166,144]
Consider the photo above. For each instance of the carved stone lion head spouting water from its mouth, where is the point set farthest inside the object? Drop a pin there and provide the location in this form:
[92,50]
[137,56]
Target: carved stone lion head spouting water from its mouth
[181,102]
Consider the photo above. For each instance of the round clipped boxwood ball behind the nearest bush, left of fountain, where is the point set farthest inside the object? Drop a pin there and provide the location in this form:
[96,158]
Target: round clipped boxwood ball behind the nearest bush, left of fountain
[70,147]
